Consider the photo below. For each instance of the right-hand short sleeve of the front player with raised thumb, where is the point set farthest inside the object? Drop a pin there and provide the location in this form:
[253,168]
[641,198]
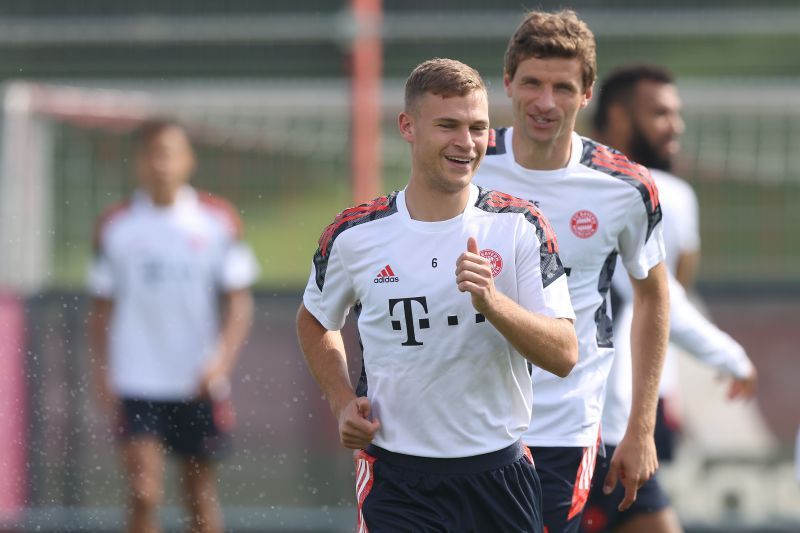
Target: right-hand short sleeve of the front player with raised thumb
[541,280]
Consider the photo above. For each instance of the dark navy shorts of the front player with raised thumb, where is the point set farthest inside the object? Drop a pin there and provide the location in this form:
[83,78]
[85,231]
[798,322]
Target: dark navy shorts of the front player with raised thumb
[497,491]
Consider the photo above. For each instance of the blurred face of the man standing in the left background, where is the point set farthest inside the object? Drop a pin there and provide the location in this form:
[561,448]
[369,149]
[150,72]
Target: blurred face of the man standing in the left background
[165,162]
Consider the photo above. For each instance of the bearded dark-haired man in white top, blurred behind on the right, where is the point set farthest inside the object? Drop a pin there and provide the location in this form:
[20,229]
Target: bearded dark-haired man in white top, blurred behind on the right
[638,113]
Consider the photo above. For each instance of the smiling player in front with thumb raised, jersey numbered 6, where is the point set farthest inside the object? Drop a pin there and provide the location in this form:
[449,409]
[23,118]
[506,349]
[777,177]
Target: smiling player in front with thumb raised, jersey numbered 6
[446,392]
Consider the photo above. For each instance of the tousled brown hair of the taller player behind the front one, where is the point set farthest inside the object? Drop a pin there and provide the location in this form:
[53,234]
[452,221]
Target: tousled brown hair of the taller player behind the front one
[561,34]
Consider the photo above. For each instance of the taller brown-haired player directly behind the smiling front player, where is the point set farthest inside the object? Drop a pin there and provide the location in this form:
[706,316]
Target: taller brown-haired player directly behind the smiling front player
[601,205]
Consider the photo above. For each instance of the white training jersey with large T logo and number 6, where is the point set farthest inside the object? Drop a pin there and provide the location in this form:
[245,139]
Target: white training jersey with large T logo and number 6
[440,378]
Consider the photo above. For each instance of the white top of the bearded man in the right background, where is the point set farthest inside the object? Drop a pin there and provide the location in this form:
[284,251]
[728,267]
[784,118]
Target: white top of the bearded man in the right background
[689,329]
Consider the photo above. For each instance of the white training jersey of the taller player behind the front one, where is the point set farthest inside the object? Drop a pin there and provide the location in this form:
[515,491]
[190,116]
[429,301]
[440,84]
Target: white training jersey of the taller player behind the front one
[601,205]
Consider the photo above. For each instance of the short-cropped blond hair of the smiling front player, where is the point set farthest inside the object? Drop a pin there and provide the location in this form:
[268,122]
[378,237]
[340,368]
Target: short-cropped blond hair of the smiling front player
[442,77]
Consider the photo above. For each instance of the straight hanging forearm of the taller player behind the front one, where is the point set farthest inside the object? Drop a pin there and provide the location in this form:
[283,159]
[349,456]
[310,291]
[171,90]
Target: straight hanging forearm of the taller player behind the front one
[649,336]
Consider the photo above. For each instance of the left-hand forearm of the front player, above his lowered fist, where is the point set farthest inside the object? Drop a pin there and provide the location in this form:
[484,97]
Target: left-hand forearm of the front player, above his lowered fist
[326,359]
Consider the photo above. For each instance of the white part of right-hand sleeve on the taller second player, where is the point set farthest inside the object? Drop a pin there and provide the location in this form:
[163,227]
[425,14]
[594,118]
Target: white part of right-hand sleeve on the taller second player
[639,250]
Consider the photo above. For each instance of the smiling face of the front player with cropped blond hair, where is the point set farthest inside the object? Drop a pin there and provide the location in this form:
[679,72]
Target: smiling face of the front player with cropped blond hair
[448,138]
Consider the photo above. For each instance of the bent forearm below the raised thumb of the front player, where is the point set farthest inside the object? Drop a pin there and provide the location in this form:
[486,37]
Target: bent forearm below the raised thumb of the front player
[549,343]
